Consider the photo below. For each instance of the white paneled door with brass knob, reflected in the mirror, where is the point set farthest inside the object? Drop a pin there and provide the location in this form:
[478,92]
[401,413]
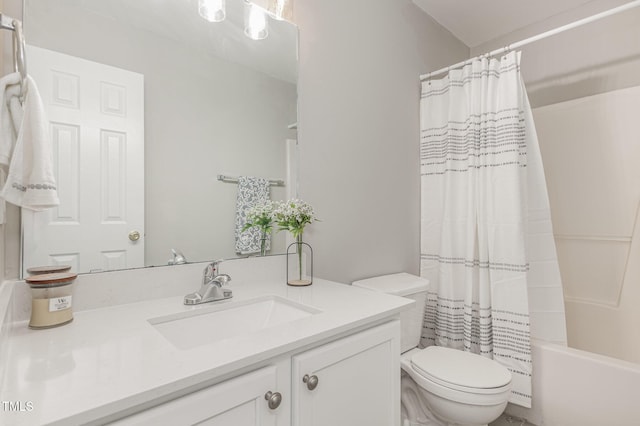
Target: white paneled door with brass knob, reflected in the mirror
[96,120]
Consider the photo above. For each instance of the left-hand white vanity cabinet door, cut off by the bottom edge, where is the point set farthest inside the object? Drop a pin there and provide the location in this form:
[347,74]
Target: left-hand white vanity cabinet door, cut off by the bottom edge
[238,402]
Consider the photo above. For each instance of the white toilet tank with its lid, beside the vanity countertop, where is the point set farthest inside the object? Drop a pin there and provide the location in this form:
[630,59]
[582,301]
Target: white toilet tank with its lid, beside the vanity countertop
[404,285]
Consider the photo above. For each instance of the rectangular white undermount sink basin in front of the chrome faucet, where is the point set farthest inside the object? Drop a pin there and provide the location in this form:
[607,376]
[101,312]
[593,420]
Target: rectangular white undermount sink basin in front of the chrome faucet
[202,326]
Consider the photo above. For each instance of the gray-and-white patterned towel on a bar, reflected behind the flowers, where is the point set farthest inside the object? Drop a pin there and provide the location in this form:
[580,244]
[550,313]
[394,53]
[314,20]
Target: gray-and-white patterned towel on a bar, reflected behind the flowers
[251,191]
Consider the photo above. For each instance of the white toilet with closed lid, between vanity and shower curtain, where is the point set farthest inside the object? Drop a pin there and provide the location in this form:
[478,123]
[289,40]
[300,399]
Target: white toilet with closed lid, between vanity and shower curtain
[441,386]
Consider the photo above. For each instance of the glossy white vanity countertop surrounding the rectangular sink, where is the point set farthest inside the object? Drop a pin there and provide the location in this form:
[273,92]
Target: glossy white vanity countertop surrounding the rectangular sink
[111,359]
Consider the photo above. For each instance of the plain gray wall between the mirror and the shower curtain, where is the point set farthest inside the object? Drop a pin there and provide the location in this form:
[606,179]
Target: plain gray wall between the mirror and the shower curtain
[360,62]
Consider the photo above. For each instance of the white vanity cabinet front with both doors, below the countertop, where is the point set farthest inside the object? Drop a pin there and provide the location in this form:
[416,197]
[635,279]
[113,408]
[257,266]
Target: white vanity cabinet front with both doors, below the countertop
[351,381]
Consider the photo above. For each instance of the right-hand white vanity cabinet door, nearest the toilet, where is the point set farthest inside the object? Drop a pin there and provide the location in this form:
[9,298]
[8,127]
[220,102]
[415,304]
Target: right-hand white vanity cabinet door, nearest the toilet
[358,381]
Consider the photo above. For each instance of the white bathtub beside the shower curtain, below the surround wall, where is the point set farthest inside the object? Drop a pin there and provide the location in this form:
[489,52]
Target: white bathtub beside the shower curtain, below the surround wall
[574,387]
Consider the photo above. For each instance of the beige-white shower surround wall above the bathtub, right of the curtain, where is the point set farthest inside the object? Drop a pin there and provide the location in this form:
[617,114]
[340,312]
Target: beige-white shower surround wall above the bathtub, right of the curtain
[591,152]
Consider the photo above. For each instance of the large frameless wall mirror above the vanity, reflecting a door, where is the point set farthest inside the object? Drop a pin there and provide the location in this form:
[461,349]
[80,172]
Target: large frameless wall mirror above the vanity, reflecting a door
[149,103]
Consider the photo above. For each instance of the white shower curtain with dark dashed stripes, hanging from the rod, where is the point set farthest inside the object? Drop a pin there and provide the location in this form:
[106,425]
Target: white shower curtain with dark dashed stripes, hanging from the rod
[473,151]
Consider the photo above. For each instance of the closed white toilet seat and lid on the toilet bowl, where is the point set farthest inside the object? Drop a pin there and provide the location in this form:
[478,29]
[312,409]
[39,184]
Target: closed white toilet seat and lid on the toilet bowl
[459,376]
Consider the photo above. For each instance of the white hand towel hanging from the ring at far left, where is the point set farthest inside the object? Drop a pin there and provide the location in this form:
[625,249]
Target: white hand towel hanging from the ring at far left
[30,181]
